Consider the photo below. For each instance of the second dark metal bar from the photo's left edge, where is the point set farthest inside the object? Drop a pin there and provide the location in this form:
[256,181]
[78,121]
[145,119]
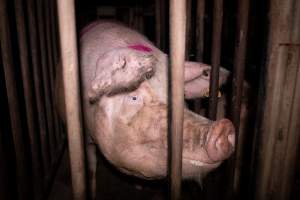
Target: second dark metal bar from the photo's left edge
[29,100]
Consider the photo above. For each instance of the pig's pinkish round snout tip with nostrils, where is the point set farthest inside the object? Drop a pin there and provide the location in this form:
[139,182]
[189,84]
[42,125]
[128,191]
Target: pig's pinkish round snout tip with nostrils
[221,140]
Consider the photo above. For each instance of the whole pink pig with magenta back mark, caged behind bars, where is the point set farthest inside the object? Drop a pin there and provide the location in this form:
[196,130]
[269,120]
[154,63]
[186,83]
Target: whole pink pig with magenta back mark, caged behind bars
[124,87]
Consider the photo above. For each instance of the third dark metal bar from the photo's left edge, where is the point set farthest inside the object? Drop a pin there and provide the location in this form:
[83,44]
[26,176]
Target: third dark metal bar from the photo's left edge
[37,79]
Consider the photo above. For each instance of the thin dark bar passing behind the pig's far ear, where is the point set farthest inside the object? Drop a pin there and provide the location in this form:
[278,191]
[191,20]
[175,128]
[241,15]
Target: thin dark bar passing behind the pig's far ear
[200,14]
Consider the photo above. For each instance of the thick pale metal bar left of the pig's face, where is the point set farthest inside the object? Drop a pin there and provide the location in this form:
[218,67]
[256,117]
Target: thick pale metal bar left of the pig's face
[67,30]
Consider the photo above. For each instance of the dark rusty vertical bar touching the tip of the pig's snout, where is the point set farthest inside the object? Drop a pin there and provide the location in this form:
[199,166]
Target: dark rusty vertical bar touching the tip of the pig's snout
[237,84]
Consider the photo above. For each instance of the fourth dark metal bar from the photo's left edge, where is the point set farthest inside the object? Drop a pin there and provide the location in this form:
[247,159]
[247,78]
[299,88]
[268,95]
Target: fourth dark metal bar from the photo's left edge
[45,74]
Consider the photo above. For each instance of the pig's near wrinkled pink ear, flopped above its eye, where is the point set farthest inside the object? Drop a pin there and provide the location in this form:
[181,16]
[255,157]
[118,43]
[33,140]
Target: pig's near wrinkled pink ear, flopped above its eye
[121,70]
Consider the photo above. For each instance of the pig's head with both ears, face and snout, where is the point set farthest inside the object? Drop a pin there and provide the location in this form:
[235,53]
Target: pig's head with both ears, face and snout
[129,97]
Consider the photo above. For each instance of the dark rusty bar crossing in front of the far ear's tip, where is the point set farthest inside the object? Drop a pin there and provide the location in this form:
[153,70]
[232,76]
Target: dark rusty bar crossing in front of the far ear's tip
[215,57]
